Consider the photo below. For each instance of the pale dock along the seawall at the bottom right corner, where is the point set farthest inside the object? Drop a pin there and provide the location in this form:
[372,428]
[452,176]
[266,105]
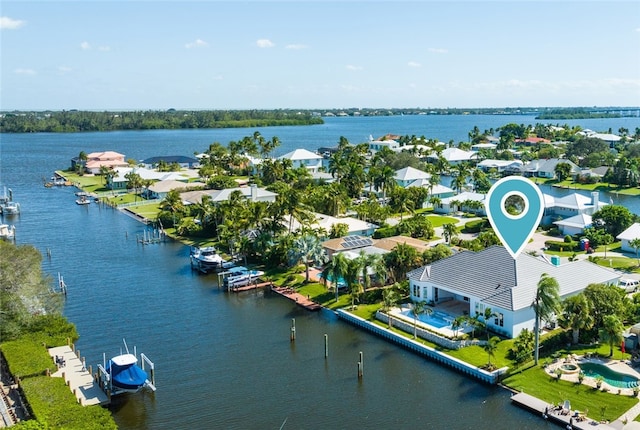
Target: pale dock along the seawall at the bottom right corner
[564,417]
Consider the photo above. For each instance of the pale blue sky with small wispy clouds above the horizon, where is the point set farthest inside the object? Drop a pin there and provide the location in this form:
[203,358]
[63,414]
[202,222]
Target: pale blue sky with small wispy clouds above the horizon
[318,54]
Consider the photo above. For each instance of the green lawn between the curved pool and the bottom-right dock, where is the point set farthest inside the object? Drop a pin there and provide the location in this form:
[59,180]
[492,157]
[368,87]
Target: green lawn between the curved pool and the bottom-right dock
[600,405]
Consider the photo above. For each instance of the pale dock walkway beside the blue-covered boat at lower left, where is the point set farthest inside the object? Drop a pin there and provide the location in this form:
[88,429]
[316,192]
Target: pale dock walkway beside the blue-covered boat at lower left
[77,377]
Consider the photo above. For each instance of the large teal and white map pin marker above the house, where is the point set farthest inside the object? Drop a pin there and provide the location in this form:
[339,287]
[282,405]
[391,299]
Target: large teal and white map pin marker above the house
[514,231]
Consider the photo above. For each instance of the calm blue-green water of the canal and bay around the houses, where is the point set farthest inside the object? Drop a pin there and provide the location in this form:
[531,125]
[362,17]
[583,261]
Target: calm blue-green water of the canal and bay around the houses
[225,360]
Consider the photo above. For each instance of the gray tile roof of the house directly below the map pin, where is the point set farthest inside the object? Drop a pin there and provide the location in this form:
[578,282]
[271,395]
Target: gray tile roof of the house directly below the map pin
[493,277]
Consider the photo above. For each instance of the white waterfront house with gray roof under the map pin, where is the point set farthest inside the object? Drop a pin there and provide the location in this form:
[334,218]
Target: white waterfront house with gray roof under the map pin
[491,278]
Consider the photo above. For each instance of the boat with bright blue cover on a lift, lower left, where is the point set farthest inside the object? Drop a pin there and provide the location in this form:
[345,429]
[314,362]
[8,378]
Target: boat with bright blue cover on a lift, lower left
[122,374]
